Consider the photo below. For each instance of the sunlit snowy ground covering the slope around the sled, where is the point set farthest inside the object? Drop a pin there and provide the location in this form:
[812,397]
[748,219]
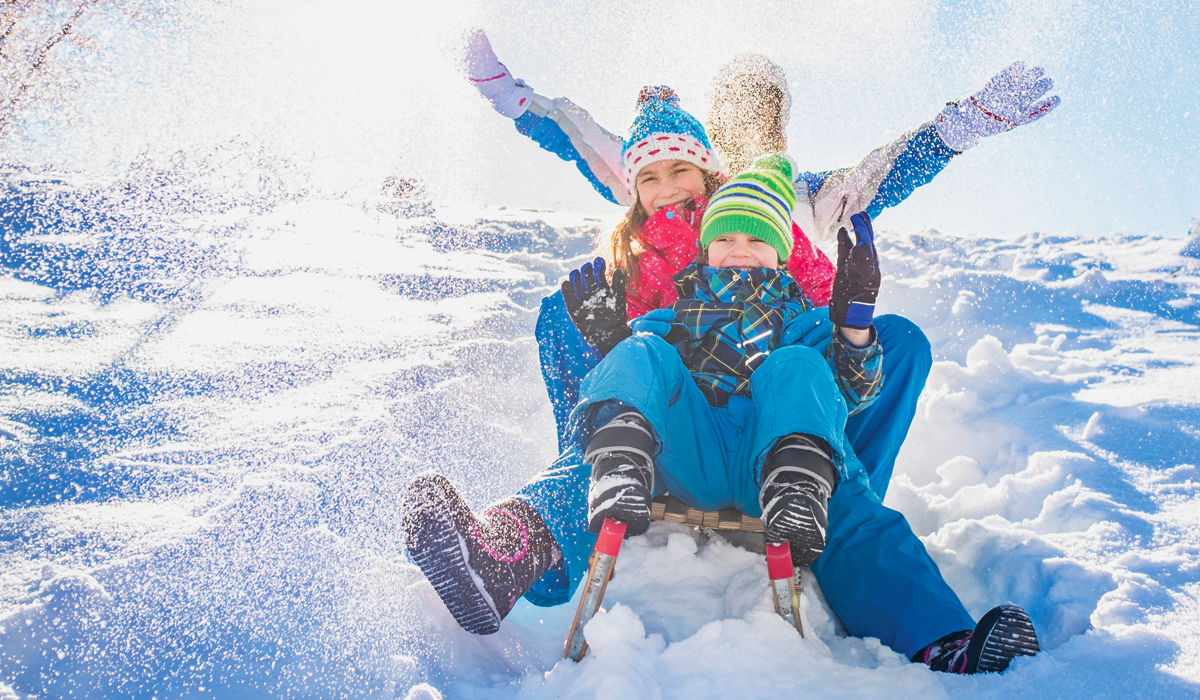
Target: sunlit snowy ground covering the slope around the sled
[207,415]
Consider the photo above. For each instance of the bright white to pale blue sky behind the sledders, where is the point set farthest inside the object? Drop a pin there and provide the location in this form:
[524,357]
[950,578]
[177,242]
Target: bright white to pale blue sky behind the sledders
[369,88]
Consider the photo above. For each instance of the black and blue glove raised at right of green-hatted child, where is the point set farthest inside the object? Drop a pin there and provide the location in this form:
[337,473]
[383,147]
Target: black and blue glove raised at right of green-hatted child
[857,284]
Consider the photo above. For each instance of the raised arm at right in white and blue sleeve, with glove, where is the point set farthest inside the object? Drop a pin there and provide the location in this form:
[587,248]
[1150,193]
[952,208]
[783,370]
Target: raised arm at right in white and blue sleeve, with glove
[890,173]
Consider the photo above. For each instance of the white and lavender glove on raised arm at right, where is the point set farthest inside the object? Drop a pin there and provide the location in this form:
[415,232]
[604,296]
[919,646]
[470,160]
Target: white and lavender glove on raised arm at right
[1011,99]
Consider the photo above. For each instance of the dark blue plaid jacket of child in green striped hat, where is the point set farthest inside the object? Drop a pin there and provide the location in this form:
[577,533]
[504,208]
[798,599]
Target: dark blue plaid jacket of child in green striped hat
[731,320]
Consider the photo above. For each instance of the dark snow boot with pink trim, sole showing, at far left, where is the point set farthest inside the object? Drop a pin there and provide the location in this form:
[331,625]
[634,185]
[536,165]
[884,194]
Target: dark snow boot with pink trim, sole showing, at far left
[479,565]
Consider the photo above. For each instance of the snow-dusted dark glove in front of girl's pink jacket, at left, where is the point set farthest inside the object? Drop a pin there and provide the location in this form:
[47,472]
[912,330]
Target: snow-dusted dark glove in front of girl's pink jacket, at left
[598,308]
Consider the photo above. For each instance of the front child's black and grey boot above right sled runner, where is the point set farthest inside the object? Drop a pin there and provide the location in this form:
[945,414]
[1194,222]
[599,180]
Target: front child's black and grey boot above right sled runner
[799,480]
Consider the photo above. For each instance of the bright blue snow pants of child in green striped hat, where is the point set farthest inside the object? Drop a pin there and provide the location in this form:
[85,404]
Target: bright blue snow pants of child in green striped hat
[709,457]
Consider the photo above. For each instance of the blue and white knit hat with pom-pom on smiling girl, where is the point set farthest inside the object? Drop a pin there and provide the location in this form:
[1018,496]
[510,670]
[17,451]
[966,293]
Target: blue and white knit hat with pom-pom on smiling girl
[663,131]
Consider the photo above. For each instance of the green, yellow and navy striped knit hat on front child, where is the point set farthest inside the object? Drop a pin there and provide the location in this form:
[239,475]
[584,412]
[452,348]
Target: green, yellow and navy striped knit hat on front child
[757,204]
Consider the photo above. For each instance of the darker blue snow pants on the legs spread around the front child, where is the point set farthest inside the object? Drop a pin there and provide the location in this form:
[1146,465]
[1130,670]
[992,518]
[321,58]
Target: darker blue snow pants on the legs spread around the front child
[875,573]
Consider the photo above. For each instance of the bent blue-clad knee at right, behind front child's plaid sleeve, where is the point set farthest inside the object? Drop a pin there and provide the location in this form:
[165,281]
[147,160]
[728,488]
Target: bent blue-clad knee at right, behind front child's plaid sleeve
[878,432]
